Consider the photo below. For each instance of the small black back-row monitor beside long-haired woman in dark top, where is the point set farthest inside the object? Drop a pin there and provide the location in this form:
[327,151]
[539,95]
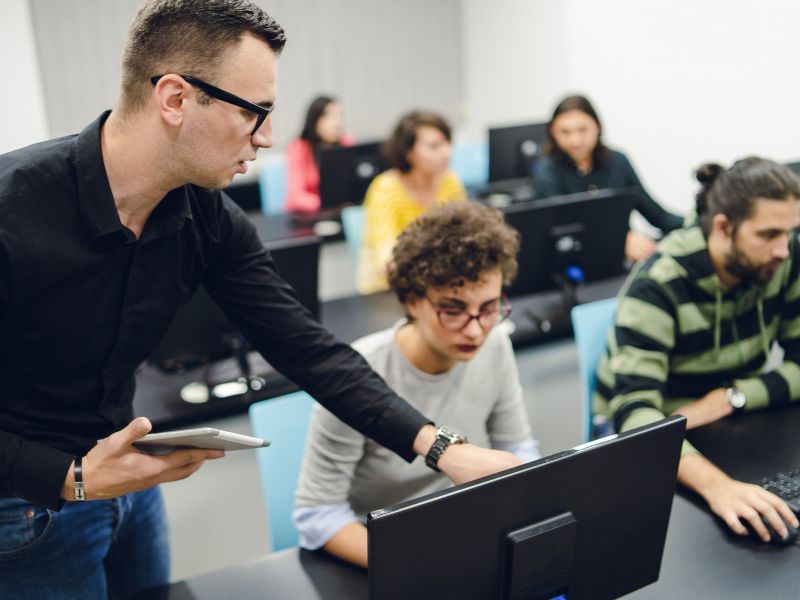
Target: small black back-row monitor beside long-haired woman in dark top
[513,150]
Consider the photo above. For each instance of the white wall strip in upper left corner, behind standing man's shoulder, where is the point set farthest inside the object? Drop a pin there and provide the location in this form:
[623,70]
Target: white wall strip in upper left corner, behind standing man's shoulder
[21,103]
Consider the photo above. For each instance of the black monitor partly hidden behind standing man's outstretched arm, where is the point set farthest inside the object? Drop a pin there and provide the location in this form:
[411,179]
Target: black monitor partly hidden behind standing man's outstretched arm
[200,332]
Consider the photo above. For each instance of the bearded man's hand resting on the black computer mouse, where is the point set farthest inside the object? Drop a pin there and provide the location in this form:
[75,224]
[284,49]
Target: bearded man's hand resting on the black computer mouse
[733,500]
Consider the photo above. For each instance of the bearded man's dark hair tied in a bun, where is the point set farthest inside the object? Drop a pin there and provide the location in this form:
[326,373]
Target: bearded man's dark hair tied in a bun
[733,192]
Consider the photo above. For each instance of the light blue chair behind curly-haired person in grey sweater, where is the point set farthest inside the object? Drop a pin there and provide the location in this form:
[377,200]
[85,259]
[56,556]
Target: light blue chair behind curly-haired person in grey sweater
[284,421]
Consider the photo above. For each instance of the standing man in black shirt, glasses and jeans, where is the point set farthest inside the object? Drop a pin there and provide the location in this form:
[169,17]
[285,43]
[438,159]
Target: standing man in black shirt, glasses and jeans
[102,236]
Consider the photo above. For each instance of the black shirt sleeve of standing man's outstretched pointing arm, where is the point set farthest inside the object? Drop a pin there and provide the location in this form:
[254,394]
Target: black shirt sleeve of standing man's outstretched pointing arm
[242,278]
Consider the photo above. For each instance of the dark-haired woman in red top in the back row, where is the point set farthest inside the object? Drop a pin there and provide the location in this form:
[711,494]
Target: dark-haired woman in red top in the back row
[322,129]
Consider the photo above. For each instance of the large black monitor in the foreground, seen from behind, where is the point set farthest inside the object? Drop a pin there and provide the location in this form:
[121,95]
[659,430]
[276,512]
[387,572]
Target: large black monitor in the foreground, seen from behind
[590,522]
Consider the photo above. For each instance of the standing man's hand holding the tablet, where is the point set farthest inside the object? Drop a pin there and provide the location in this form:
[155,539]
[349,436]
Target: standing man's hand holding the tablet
[114,467]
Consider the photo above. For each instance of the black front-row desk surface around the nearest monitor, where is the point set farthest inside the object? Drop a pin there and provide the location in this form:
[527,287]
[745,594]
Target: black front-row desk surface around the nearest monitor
[701,558]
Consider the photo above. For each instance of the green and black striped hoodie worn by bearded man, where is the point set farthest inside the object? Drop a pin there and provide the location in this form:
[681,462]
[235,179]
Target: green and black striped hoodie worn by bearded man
[680,332]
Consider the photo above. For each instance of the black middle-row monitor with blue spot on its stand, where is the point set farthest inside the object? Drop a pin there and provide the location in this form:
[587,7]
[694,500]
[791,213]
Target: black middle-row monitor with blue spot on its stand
[578,237]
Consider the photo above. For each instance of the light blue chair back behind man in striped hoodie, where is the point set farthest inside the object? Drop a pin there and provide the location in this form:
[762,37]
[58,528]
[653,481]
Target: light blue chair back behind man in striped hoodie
[591,323]
